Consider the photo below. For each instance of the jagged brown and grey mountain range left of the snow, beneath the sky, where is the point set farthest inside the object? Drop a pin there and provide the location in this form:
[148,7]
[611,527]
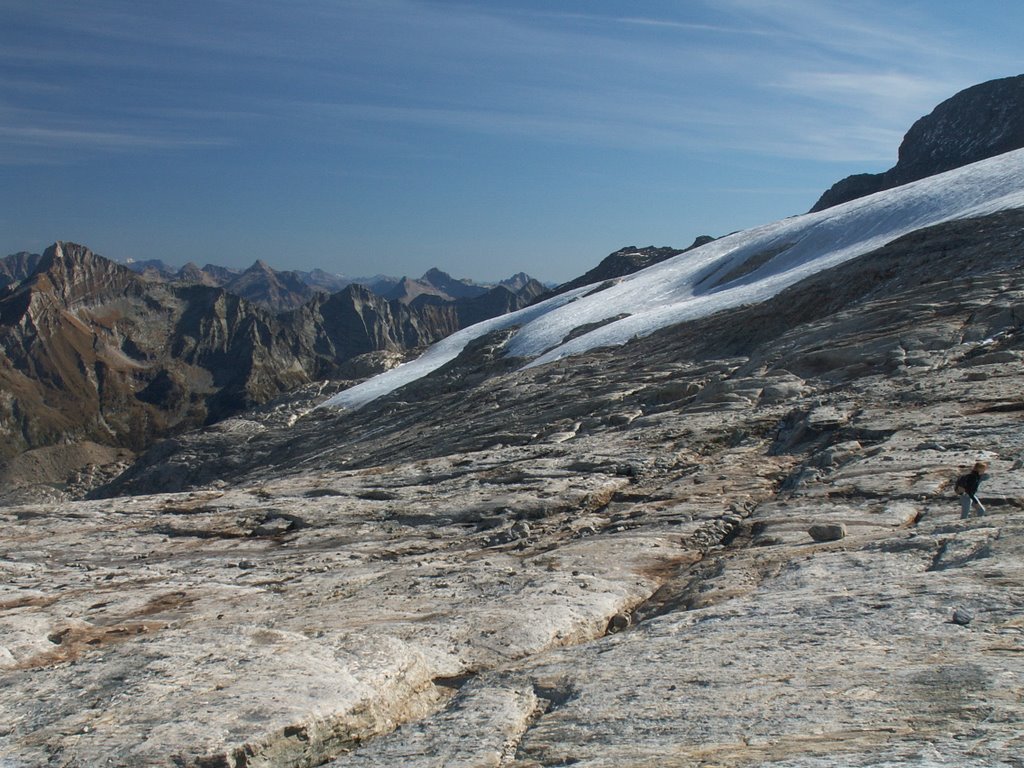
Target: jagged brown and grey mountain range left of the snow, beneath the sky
[94,352]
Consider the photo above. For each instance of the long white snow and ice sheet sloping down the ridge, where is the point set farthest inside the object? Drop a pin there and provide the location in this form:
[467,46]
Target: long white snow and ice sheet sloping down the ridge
[689,286]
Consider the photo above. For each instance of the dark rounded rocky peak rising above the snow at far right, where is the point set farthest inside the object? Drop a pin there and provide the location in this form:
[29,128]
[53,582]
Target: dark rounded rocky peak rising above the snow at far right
[980,122]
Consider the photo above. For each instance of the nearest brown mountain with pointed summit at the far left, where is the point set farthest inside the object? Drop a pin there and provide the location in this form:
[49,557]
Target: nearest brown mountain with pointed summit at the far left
[92,352]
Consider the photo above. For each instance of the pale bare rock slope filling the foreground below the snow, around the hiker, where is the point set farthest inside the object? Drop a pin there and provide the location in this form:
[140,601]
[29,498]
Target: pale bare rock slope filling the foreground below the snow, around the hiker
[732,543]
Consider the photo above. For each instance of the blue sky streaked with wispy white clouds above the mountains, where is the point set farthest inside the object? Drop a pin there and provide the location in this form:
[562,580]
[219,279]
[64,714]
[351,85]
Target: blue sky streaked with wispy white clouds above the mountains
[389,137]
